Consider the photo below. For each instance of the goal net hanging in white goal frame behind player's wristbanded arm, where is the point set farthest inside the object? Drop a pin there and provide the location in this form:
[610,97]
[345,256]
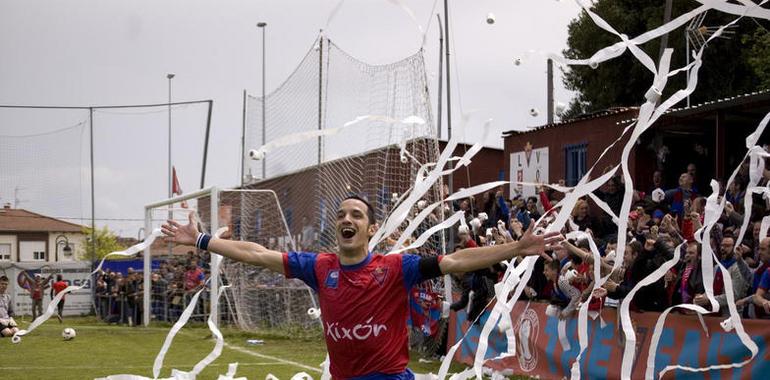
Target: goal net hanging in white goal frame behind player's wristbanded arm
[257,298]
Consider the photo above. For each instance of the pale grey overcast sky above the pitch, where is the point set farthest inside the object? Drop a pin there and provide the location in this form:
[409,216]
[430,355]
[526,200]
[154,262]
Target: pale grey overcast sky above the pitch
[119,52]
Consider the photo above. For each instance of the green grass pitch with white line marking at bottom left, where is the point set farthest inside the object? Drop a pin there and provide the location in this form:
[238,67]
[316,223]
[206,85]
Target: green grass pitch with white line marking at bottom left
[100,350]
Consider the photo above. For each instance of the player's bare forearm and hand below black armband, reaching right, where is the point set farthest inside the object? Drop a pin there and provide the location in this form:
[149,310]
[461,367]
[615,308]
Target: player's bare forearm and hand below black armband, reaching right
[471,259]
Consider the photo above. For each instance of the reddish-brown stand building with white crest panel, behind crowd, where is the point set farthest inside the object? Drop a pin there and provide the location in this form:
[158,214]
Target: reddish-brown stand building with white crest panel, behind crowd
[710,135]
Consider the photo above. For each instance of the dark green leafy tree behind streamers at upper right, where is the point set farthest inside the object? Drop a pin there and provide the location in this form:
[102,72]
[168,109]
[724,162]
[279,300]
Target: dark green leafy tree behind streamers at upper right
[731,66]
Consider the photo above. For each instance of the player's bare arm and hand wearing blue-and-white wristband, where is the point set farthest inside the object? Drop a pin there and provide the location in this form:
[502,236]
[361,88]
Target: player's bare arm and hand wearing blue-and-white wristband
[243,251]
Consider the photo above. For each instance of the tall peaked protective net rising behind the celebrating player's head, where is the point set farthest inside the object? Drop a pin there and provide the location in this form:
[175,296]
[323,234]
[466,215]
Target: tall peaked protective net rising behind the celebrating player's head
[376,157]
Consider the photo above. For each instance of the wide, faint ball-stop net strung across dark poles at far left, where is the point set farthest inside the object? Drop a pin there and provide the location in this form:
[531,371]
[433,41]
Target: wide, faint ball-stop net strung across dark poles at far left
[45,159]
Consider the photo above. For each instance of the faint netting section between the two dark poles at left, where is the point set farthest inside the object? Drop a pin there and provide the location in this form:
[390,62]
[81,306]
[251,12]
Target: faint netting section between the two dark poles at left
[142,134]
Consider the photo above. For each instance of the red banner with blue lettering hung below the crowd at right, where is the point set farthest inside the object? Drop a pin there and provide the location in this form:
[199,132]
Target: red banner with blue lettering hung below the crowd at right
[541,352]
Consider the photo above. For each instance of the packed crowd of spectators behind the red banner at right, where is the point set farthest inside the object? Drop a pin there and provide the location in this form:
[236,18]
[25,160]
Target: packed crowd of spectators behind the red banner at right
[663,218]
